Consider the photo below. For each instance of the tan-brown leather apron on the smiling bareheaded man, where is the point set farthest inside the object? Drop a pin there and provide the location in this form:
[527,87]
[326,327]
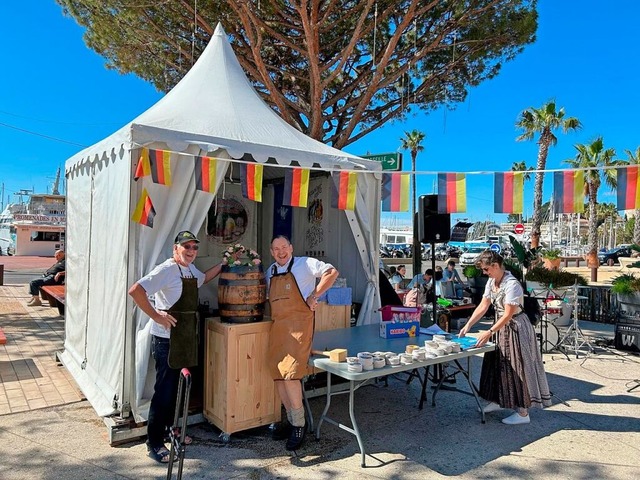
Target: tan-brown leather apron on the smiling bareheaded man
[292,329]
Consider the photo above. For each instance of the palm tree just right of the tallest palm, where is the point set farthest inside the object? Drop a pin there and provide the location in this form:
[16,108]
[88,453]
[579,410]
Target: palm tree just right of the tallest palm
[591,157]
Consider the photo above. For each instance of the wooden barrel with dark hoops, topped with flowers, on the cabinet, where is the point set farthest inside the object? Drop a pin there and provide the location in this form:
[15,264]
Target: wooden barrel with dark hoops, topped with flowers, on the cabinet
[242,292]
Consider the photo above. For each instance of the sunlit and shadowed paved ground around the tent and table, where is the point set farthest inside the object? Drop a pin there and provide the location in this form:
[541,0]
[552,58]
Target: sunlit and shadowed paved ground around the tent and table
[595,435]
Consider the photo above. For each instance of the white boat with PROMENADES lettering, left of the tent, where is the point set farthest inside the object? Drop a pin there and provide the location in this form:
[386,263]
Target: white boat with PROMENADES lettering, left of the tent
[36,226]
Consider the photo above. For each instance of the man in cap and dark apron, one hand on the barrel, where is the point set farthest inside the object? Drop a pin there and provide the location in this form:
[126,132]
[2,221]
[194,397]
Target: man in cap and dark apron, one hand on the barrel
[174,285]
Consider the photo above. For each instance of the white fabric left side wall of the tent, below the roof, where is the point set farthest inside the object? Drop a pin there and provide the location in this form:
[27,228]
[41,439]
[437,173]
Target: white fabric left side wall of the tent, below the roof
[96,262]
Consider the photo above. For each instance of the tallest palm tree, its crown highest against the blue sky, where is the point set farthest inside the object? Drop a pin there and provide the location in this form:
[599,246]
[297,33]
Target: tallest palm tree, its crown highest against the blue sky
[543,120]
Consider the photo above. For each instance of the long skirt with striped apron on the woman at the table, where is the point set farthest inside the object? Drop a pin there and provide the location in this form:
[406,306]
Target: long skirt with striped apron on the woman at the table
[513,375]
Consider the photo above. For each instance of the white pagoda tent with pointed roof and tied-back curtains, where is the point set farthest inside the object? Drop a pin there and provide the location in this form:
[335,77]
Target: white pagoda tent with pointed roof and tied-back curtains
[213,111]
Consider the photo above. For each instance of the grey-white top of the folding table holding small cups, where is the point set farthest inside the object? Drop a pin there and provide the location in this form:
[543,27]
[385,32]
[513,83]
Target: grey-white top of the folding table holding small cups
[367,338]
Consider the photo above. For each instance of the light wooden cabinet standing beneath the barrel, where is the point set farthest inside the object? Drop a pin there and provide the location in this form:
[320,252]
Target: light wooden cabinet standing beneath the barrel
[239,391]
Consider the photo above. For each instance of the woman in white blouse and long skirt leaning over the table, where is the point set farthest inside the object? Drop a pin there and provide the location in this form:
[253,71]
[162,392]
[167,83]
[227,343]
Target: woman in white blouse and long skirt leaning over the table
[513,375]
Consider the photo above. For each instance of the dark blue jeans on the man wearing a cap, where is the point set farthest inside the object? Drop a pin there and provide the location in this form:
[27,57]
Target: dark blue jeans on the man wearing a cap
[163,402]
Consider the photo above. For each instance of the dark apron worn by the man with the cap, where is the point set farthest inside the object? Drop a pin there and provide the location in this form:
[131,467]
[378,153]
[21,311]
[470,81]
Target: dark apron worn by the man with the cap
[183,342]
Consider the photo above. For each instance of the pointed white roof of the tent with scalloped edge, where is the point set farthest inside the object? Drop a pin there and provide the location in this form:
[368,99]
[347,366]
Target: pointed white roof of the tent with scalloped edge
[214,106]
